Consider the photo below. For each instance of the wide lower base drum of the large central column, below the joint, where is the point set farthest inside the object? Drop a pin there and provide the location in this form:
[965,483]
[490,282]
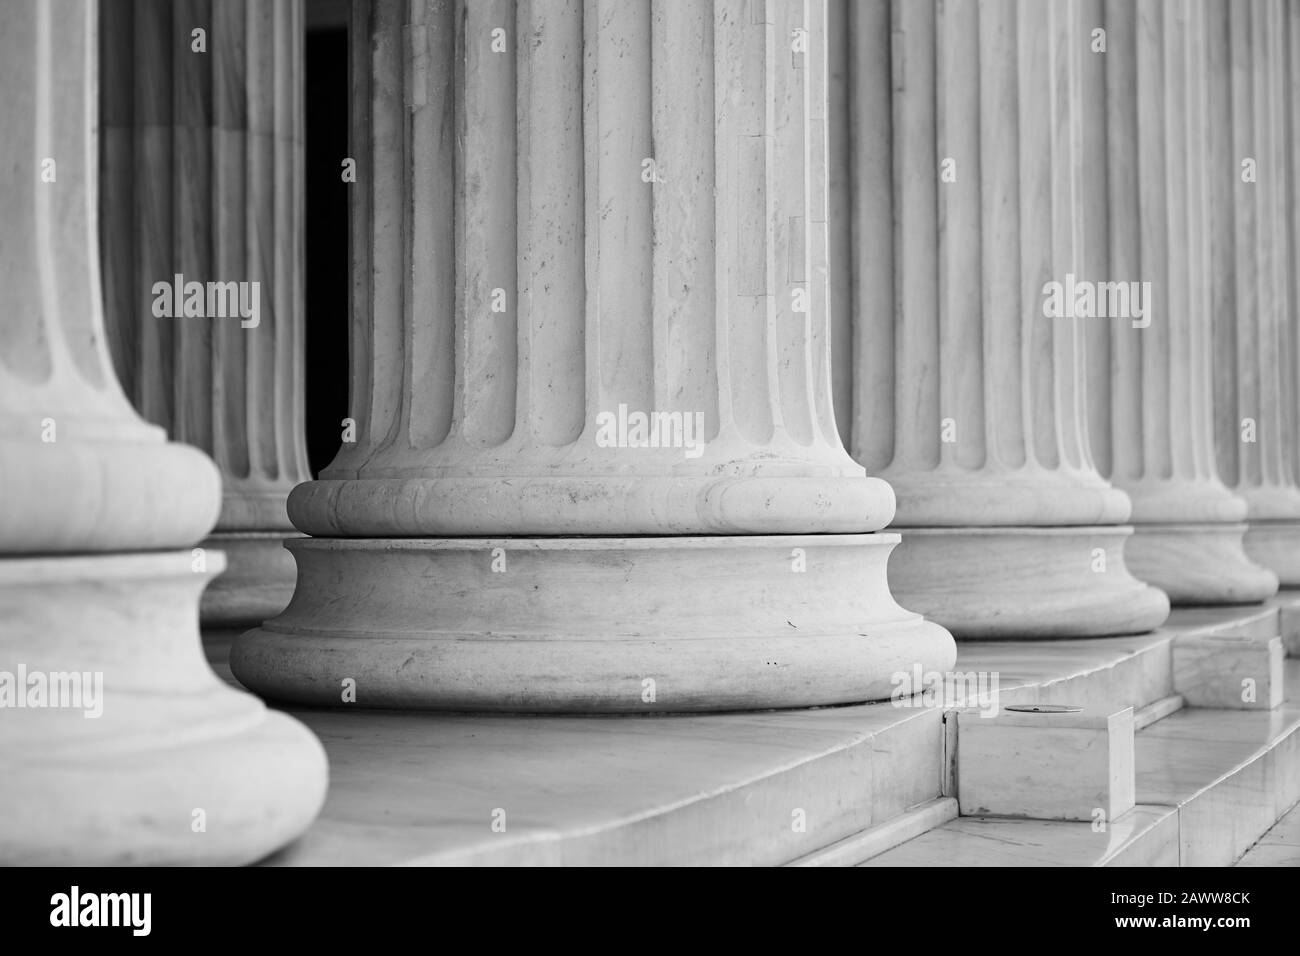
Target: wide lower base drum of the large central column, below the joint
[591,625]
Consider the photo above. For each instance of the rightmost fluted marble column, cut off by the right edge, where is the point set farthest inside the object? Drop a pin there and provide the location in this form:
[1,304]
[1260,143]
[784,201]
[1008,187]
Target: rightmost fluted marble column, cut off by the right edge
[1253,269]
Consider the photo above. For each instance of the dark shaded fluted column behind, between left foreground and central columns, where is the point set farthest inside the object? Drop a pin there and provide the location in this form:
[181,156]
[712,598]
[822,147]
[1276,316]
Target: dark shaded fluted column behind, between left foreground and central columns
[202,172]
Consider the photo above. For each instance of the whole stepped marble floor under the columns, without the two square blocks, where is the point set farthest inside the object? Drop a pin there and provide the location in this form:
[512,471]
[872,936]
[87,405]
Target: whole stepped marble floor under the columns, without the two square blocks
[778,788]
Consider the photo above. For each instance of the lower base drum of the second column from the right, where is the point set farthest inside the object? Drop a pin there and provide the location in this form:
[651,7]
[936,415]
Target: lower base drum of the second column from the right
[1199,564]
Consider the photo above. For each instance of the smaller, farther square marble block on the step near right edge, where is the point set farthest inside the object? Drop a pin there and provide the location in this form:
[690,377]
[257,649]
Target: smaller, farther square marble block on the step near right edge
[1234,673]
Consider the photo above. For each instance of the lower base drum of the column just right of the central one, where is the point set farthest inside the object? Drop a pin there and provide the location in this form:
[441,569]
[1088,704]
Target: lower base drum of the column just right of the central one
[1025,583]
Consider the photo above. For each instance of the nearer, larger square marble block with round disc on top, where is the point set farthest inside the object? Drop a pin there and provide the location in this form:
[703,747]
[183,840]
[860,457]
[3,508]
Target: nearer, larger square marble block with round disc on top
[1047,764]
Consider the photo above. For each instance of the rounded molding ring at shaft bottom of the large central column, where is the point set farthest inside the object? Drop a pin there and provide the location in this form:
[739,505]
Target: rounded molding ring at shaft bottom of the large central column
[597,505]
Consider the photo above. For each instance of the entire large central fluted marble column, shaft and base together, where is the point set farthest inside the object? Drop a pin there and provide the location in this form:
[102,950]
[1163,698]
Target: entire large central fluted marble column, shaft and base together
[597,465]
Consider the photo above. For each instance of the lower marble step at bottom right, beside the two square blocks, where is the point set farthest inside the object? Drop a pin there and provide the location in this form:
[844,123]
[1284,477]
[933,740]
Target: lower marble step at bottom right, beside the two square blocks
[1210,785]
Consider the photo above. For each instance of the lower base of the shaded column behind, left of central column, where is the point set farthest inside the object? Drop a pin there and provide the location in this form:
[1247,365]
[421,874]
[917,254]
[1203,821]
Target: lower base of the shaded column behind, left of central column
[258,581]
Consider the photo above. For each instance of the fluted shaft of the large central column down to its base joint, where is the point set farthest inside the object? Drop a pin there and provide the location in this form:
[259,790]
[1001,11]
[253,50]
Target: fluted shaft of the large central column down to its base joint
[648,236]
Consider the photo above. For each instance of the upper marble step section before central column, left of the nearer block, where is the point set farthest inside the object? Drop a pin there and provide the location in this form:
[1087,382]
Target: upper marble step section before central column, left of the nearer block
[423,788]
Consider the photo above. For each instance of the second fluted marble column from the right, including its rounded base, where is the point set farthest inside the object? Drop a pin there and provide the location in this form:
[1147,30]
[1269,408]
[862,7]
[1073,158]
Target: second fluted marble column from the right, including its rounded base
[1146,205]
